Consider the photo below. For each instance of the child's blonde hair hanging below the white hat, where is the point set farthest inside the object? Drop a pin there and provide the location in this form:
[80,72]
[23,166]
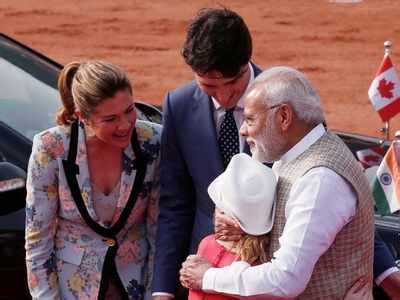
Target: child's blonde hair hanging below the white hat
[253,249]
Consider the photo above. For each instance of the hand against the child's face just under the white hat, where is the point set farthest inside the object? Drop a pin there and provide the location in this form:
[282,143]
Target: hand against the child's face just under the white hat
[226,228]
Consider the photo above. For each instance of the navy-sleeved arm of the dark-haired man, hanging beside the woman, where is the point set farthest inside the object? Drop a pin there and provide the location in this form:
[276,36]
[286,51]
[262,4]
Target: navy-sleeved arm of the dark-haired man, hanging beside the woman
[176,204]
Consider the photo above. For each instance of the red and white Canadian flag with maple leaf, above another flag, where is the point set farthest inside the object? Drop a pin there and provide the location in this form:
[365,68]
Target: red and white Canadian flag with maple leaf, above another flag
[384,91]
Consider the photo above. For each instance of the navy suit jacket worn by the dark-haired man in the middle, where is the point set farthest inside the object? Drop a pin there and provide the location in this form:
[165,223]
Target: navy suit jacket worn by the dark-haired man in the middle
[190,160]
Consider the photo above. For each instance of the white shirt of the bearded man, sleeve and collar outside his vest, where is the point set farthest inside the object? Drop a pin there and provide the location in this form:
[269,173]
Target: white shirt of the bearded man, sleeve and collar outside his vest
[320,204]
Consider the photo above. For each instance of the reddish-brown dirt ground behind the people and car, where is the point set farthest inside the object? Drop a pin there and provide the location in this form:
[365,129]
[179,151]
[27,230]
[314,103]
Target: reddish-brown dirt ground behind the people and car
[339,45]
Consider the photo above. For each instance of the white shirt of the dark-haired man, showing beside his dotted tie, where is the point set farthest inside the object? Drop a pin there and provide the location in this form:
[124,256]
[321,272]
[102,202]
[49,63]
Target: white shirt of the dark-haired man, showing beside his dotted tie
[219,112]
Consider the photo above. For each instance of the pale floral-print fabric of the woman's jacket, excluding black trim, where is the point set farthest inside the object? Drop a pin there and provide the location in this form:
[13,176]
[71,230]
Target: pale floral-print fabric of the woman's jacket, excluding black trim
[64,256]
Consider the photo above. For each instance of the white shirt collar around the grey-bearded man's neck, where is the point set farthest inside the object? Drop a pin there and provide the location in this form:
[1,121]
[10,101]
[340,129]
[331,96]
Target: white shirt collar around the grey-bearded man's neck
[300,147]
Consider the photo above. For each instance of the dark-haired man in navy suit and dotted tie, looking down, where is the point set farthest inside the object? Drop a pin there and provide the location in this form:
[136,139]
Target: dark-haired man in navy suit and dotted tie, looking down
[200,135]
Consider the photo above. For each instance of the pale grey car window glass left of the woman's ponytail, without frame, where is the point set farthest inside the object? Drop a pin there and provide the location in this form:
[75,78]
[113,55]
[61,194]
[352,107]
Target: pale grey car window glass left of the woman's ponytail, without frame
[27,104]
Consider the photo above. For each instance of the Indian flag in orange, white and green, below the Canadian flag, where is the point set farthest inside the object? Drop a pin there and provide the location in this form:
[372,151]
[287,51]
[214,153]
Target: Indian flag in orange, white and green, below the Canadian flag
[386,187]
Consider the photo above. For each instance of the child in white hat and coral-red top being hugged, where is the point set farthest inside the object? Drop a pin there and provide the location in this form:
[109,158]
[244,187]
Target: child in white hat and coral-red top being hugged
[245,192]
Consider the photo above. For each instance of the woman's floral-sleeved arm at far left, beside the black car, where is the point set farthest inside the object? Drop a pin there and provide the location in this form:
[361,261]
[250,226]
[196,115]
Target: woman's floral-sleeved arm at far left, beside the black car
[41,214]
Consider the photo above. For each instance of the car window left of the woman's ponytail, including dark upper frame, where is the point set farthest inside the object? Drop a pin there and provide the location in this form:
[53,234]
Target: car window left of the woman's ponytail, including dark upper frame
[28,88]
